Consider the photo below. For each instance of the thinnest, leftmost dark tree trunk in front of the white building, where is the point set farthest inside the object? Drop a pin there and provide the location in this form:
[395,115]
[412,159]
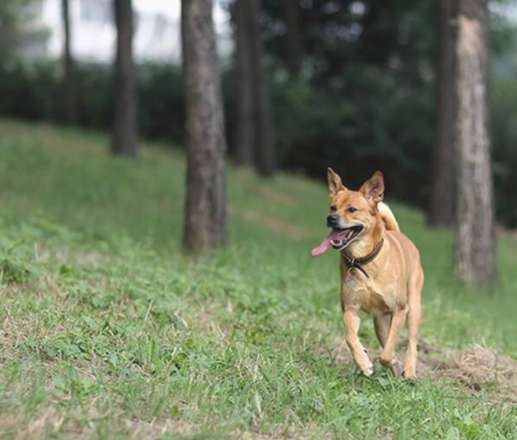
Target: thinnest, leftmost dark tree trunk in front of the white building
[70,94]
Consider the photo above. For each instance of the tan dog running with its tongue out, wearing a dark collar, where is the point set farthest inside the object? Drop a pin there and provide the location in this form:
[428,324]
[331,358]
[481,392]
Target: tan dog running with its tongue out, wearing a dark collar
[381,272]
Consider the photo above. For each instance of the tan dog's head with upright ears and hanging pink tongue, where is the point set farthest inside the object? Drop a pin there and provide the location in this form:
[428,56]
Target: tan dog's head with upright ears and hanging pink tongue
[353,214]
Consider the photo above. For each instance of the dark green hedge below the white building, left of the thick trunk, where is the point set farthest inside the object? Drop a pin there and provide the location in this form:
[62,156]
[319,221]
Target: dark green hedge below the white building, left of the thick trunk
[34,91]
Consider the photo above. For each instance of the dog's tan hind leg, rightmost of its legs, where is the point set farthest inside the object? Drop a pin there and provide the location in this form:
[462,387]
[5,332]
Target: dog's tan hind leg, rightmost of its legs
[414,316]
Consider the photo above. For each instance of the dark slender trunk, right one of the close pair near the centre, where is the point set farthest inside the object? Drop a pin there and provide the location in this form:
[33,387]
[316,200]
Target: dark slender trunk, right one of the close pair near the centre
[266,157]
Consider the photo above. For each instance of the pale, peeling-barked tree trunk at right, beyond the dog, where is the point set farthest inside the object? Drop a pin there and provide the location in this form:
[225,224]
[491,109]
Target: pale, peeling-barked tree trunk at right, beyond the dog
[475,232]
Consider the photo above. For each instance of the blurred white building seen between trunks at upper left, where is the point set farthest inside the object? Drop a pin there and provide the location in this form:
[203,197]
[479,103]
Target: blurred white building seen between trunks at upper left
[157,30]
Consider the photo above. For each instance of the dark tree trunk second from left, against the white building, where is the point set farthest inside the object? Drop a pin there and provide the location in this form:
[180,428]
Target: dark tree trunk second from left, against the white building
[125,132]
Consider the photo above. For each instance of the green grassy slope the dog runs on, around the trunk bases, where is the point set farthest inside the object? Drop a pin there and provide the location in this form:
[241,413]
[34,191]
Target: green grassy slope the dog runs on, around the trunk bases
[106,331]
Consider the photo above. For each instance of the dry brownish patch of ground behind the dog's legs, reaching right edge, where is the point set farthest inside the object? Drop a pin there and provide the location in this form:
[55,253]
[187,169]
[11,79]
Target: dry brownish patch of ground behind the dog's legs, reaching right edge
[478,368]
